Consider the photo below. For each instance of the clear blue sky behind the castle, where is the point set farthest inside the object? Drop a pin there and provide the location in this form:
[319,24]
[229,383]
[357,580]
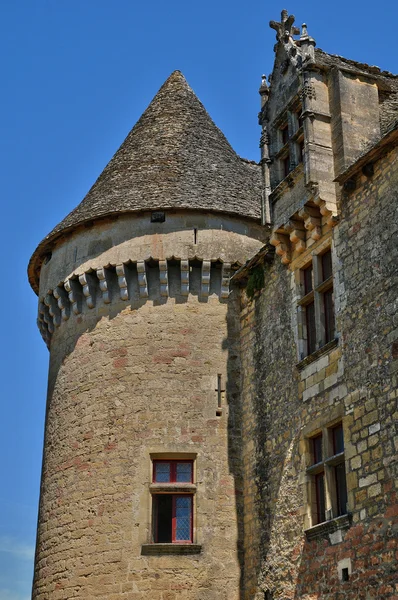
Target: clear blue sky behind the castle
[76,75]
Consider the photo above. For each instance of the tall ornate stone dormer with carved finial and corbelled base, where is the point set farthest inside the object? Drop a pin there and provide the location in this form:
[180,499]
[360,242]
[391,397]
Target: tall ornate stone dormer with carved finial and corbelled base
[318,114]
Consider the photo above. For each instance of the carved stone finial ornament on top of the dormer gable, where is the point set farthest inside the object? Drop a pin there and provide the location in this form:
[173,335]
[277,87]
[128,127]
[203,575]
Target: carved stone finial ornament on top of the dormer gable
[299,52]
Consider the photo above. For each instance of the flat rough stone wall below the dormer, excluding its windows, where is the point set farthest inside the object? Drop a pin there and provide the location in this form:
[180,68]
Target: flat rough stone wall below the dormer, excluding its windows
[353,381]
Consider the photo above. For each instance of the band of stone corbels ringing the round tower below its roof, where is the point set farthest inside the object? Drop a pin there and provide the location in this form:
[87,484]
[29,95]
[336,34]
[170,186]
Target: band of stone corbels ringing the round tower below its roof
[133,281]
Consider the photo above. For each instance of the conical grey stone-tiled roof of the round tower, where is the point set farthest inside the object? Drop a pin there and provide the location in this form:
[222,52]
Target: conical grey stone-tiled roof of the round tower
[174,157]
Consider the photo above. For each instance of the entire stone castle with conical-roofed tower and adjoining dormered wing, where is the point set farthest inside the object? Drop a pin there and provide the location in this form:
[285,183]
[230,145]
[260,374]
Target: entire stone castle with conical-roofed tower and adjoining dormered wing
[223,342]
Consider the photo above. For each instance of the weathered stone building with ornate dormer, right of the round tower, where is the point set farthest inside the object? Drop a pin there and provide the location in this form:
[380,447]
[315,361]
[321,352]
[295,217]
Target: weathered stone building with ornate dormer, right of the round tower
[296,390]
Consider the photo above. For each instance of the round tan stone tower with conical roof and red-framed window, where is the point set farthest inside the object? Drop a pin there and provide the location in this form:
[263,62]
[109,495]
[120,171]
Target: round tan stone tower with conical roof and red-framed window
[141,482]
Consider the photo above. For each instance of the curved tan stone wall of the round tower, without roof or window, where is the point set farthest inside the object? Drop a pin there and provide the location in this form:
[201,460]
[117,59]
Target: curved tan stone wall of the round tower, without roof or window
[133,376]
